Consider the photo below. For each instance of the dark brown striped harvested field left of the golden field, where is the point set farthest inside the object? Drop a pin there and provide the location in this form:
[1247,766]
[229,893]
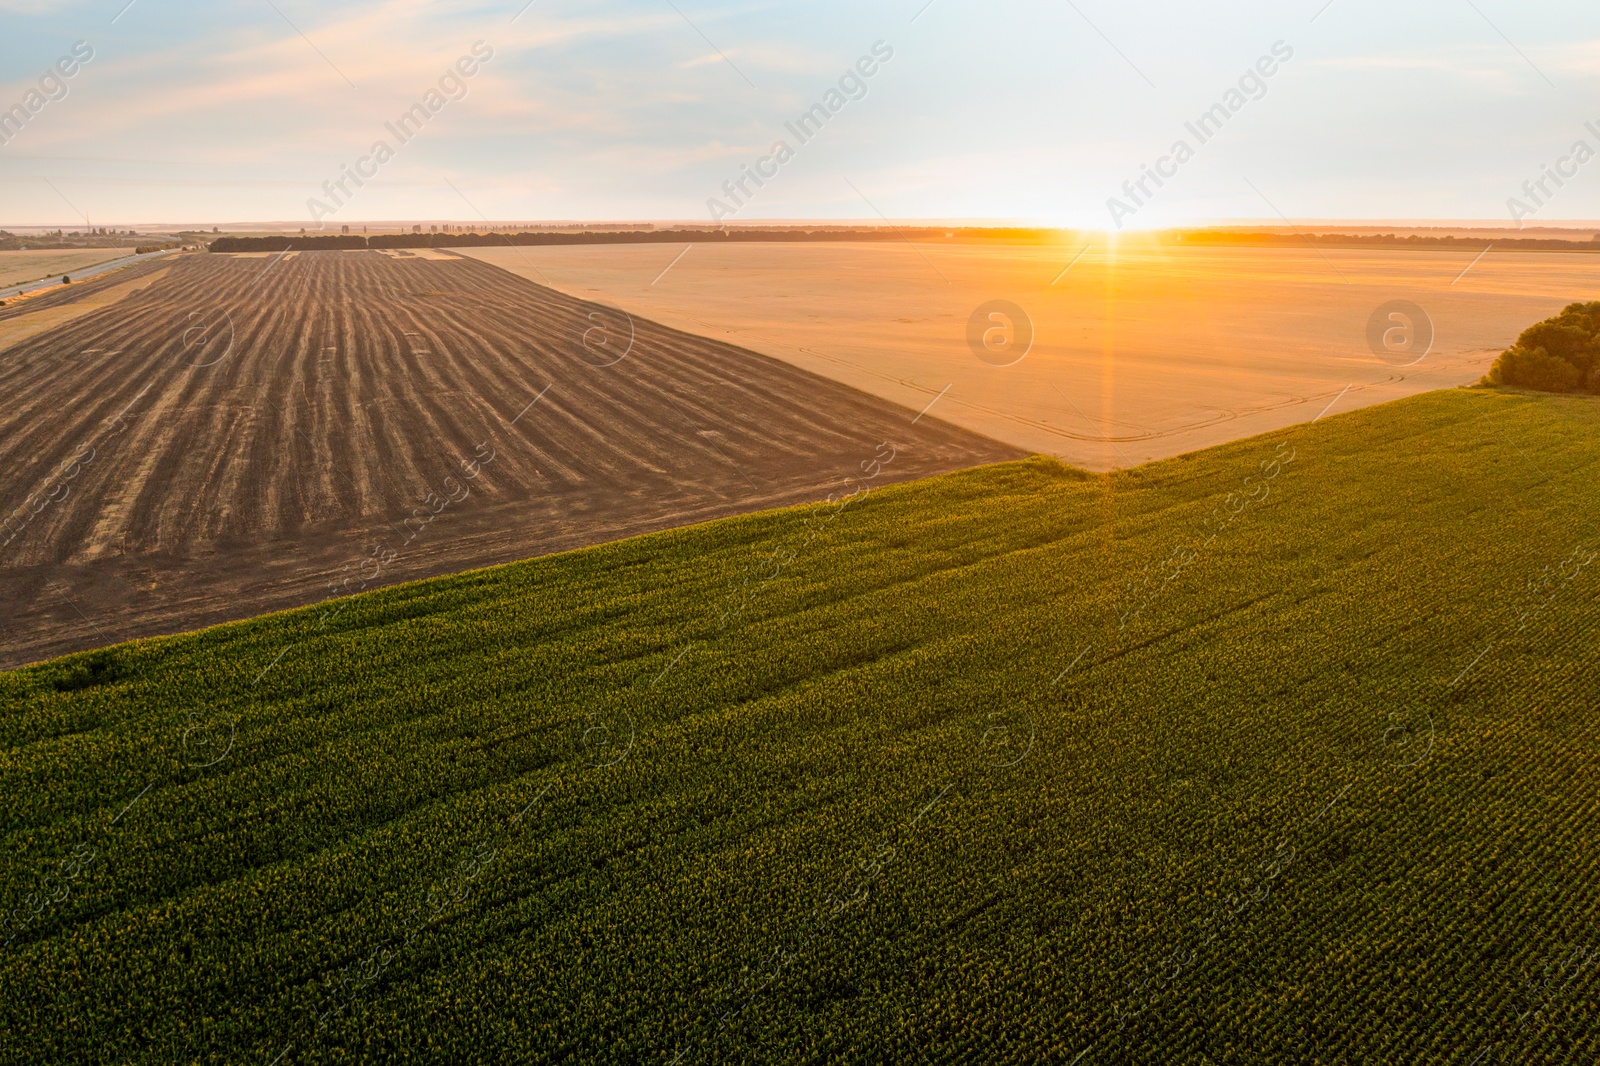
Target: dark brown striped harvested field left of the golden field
[241,435]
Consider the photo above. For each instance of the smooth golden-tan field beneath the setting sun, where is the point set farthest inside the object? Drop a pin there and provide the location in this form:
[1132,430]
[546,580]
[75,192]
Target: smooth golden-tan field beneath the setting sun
[1138,355]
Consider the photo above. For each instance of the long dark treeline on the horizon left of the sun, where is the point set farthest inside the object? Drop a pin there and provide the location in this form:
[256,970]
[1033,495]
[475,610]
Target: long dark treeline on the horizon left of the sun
[610,238]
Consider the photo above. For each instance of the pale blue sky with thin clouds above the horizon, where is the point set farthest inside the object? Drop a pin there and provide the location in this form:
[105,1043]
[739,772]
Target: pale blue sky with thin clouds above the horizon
[1038,113]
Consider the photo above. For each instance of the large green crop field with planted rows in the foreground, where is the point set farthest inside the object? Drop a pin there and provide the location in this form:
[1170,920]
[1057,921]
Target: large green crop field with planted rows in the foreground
[1278,753]
